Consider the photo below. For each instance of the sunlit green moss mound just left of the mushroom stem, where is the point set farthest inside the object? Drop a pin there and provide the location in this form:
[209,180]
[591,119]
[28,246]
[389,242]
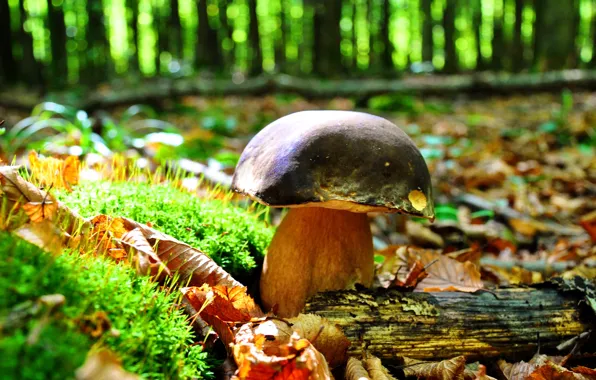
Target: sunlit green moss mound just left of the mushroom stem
[233,237]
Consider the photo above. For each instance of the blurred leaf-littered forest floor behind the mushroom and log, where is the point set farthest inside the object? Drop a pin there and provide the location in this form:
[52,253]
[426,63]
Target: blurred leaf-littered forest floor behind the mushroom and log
[514,177]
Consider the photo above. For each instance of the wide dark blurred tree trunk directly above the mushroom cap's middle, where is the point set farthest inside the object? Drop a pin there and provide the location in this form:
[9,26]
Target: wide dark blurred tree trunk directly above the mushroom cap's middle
[327,53]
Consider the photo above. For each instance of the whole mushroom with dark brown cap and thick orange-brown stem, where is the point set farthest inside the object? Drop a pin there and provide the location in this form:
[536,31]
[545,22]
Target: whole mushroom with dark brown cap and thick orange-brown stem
[329,168]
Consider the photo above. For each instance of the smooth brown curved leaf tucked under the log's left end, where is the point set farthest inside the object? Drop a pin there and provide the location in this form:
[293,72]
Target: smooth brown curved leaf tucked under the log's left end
[327,338]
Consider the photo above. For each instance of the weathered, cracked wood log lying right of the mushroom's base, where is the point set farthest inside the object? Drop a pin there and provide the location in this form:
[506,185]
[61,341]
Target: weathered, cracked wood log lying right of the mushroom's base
[509,323]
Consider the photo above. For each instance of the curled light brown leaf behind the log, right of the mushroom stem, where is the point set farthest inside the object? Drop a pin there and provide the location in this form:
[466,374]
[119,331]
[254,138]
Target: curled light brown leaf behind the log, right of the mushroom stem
[444,273]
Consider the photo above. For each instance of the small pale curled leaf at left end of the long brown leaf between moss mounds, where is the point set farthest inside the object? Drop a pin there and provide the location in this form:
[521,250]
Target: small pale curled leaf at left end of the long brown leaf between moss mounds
[145,259]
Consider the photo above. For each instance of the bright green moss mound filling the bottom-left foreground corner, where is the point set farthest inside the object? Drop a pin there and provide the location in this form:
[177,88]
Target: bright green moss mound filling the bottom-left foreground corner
[147,330]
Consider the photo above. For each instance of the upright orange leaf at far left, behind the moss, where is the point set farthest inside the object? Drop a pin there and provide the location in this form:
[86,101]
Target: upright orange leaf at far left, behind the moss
[51,171]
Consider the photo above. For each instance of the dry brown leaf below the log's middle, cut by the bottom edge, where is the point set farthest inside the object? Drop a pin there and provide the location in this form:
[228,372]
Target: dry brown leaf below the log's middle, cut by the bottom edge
[452,369]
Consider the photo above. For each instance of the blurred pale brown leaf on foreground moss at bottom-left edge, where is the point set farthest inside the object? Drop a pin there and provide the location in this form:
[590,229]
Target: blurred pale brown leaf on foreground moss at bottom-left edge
[103,365]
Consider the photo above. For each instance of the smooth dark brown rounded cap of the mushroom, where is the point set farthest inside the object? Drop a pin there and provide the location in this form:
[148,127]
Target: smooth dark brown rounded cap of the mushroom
[336,159]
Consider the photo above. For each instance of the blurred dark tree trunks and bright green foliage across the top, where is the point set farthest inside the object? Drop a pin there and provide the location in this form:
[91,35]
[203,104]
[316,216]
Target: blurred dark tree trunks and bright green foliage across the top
[51,44]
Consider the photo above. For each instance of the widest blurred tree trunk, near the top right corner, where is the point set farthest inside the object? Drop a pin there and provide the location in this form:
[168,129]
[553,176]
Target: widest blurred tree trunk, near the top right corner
[557,35]
